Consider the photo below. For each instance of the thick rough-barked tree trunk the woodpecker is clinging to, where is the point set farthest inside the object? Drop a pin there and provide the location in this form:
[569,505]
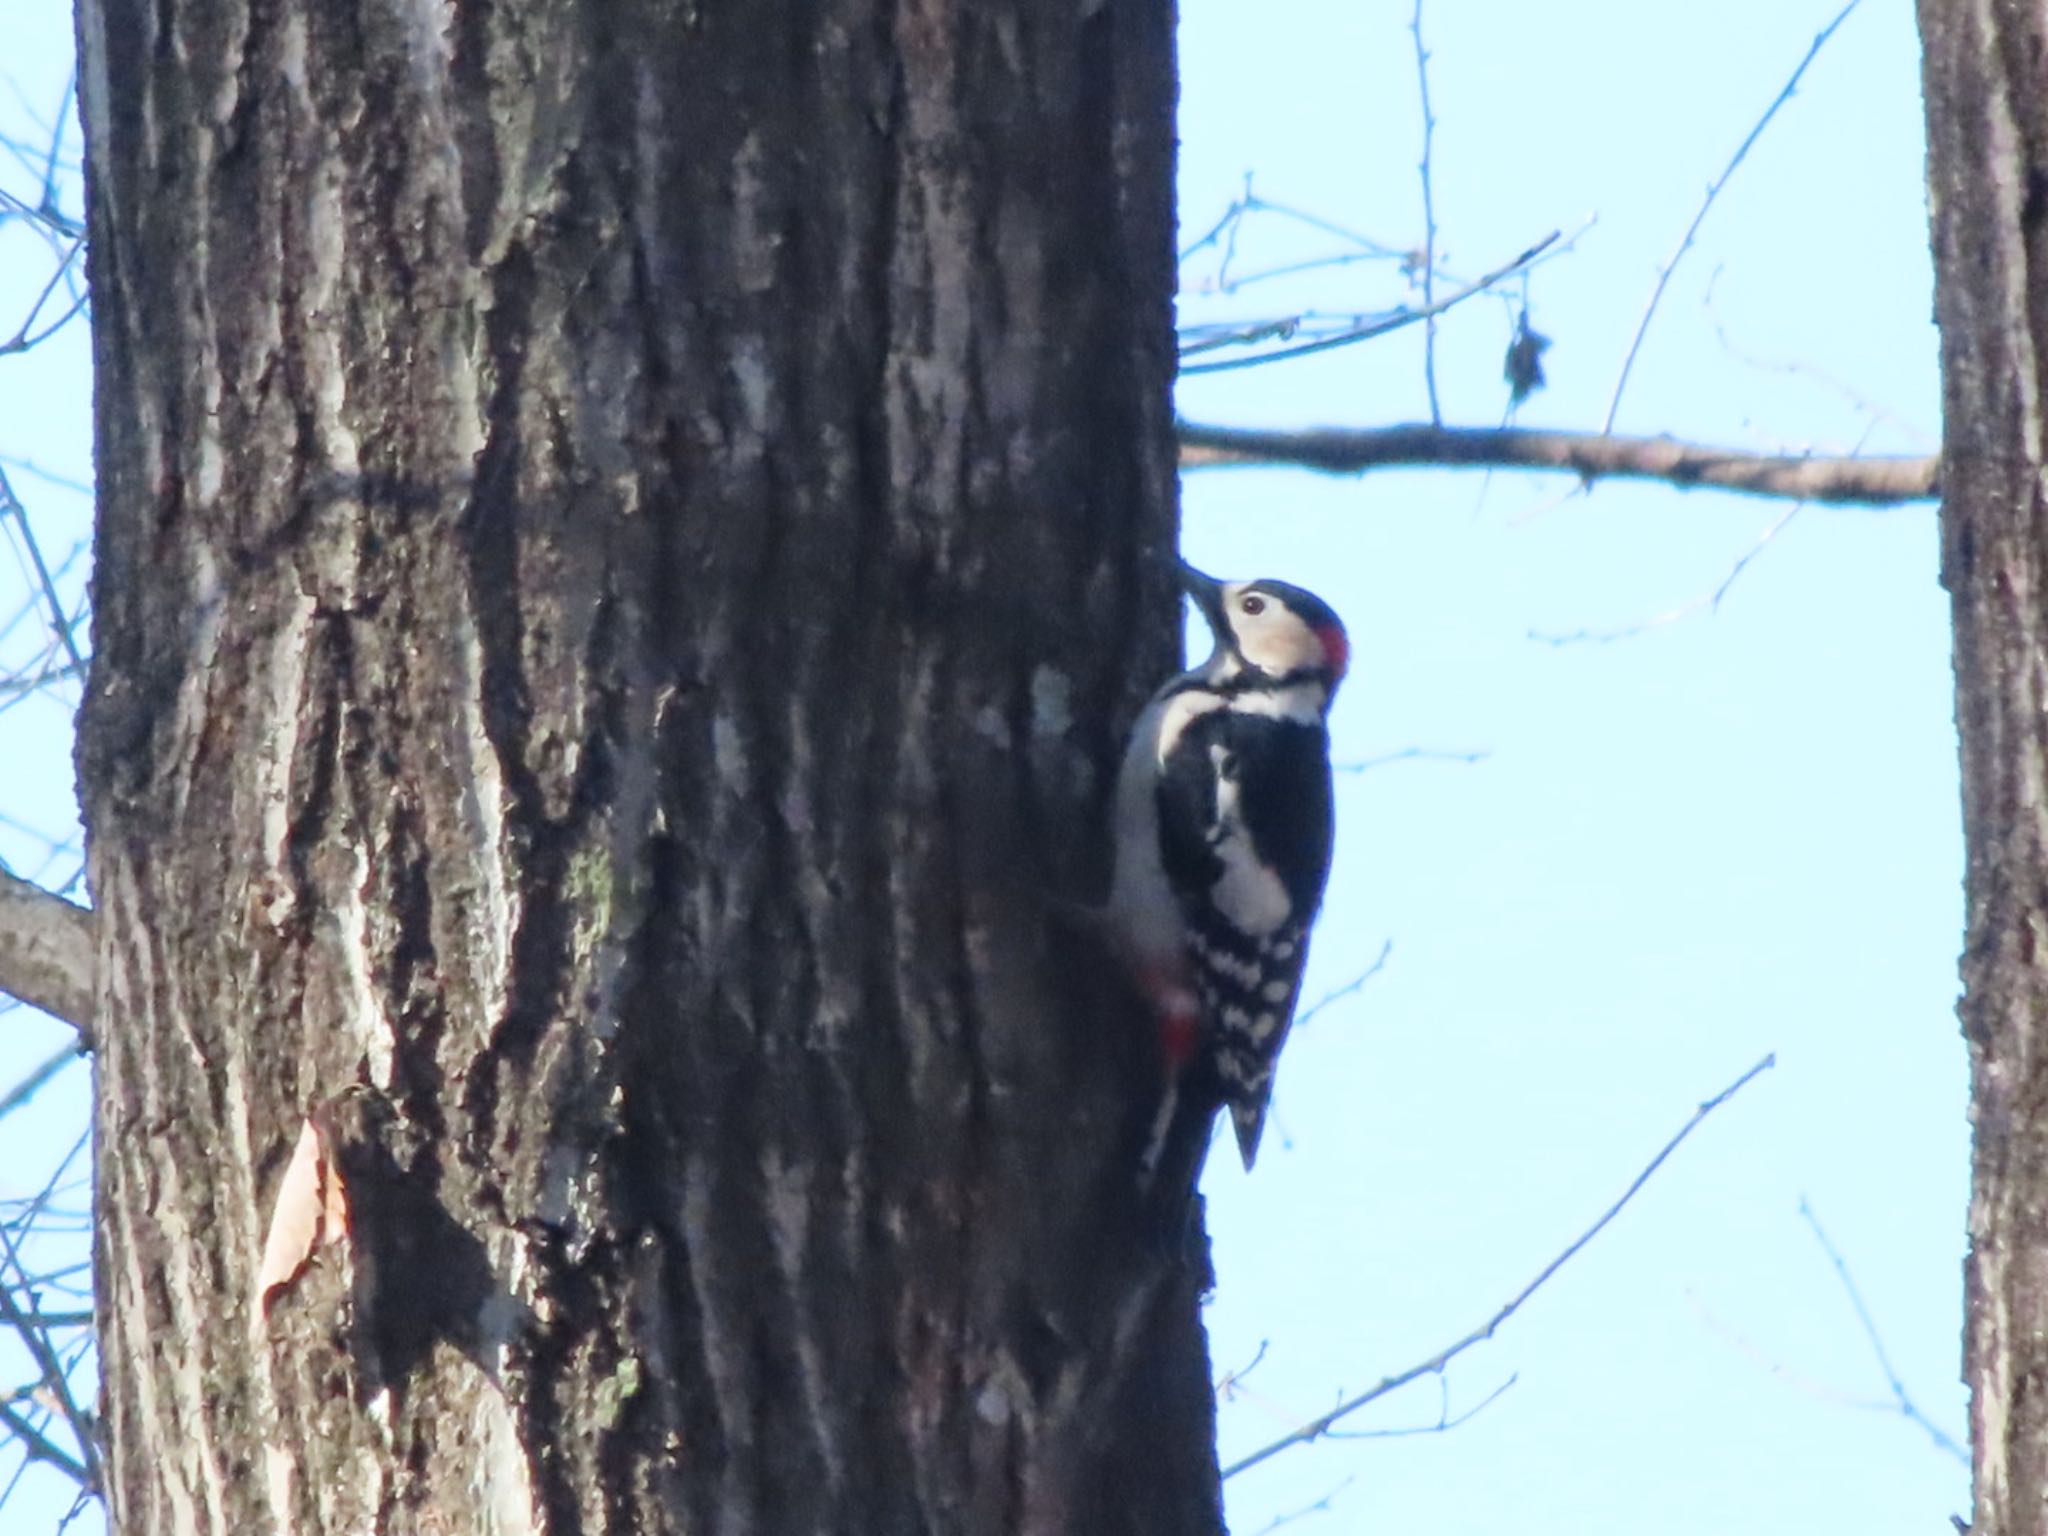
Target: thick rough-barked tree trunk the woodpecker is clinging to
[628,534]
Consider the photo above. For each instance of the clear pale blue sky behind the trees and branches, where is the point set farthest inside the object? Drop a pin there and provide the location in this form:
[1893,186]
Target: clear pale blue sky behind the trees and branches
[1727,835]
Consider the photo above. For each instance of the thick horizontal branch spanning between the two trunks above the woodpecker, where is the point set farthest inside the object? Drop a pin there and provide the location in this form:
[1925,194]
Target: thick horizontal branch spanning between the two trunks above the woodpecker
[1687,466]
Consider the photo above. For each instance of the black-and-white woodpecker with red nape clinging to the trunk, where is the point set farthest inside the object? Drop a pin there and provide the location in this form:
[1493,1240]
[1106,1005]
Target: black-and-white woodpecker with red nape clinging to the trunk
[1224,835]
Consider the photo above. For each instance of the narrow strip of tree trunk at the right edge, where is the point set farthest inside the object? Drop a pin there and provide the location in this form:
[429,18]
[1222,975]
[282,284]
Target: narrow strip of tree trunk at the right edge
[1988,151]
